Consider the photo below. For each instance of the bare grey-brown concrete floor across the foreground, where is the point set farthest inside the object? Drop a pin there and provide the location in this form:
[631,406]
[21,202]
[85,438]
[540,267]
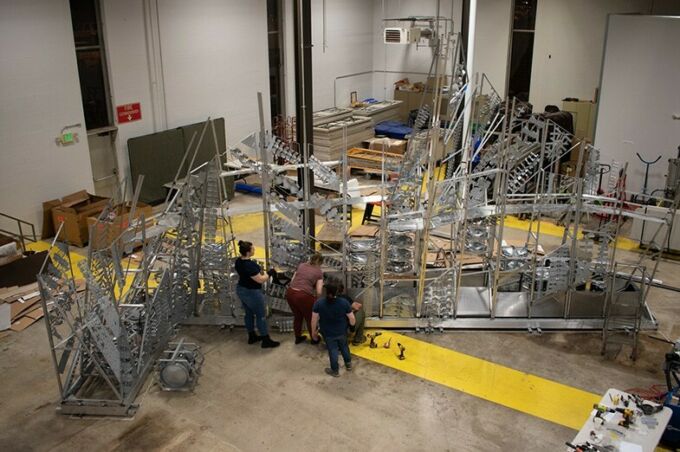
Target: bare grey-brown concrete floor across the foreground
[252,399]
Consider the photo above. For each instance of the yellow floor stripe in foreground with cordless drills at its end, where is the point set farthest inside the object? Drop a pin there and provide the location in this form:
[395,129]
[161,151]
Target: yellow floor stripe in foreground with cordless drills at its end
[536,396]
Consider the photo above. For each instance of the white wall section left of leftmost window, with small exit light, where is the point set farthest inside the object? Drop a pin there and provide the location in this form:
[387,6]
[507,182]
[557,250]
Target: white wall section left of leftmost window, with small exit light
[40,94]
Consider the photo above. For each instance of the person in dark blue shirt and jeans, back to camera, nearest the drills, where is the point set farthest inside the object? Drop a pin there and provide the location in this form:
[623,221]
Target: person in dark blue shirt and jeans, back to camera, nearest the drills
[330,315]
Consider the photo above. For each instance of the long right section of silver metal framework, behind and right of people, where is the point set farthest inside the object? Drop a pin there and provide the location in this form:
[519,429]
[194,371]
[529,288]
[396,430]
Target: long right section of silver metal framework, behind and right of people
[440,259]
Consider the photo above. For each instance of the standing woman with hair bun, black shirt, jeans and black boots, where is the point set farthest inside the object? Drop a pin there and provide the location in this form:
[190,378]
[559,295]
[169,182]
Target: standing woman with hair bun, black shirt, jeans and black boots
[249,291]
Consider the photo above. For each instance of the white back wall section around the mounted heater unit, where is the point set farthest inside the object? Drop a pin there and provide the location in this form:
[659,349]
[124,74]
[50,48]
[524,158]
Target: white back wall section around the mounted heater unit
[404,60]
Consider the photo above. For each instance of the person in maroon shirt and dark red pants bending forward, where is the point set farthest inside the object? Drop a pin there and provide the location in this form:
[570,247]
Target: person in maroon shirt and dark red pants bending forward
[304,288]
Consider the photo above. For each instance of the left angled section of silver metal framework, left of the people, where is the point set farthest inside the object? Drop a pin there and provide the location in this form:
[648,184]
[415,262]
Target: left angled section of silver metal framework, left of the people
[106,339]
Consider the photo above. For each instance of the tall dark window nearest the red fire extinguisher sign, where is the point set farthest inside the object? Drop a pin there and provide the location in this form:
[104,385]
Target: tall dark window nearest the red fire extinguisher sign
[91,63]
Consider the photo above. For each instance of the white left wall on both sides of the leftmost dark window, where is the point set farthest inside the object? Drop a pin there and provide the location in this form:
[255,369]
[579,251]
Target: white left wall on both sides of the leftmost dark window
[214,59]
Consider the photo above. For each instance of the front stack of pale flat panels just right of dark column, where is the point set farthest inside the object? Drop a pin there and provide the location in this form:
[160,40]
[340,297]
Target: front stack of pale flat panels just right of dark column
[331,138]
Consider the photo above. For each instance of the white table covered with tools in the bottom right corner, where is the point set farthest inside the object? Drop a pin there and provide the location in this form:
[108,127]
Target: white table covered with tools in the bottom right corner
[640,437]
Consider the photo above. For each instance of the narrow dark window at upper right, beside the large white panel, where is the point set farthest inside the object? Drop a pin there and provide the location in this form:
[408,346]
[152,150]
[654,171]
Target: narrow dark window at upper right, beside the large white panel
[521,56]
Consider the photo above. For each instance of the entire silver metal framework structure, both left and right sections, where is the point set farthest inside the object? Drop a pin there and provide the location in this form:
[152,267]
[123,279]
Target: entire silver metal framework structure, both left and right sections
[441,259]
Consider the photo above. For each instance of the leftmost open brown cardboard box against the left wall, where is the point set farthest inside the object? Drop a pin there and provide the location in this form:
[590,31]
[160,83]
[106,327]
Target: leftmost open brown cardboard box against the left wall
[73,211]
